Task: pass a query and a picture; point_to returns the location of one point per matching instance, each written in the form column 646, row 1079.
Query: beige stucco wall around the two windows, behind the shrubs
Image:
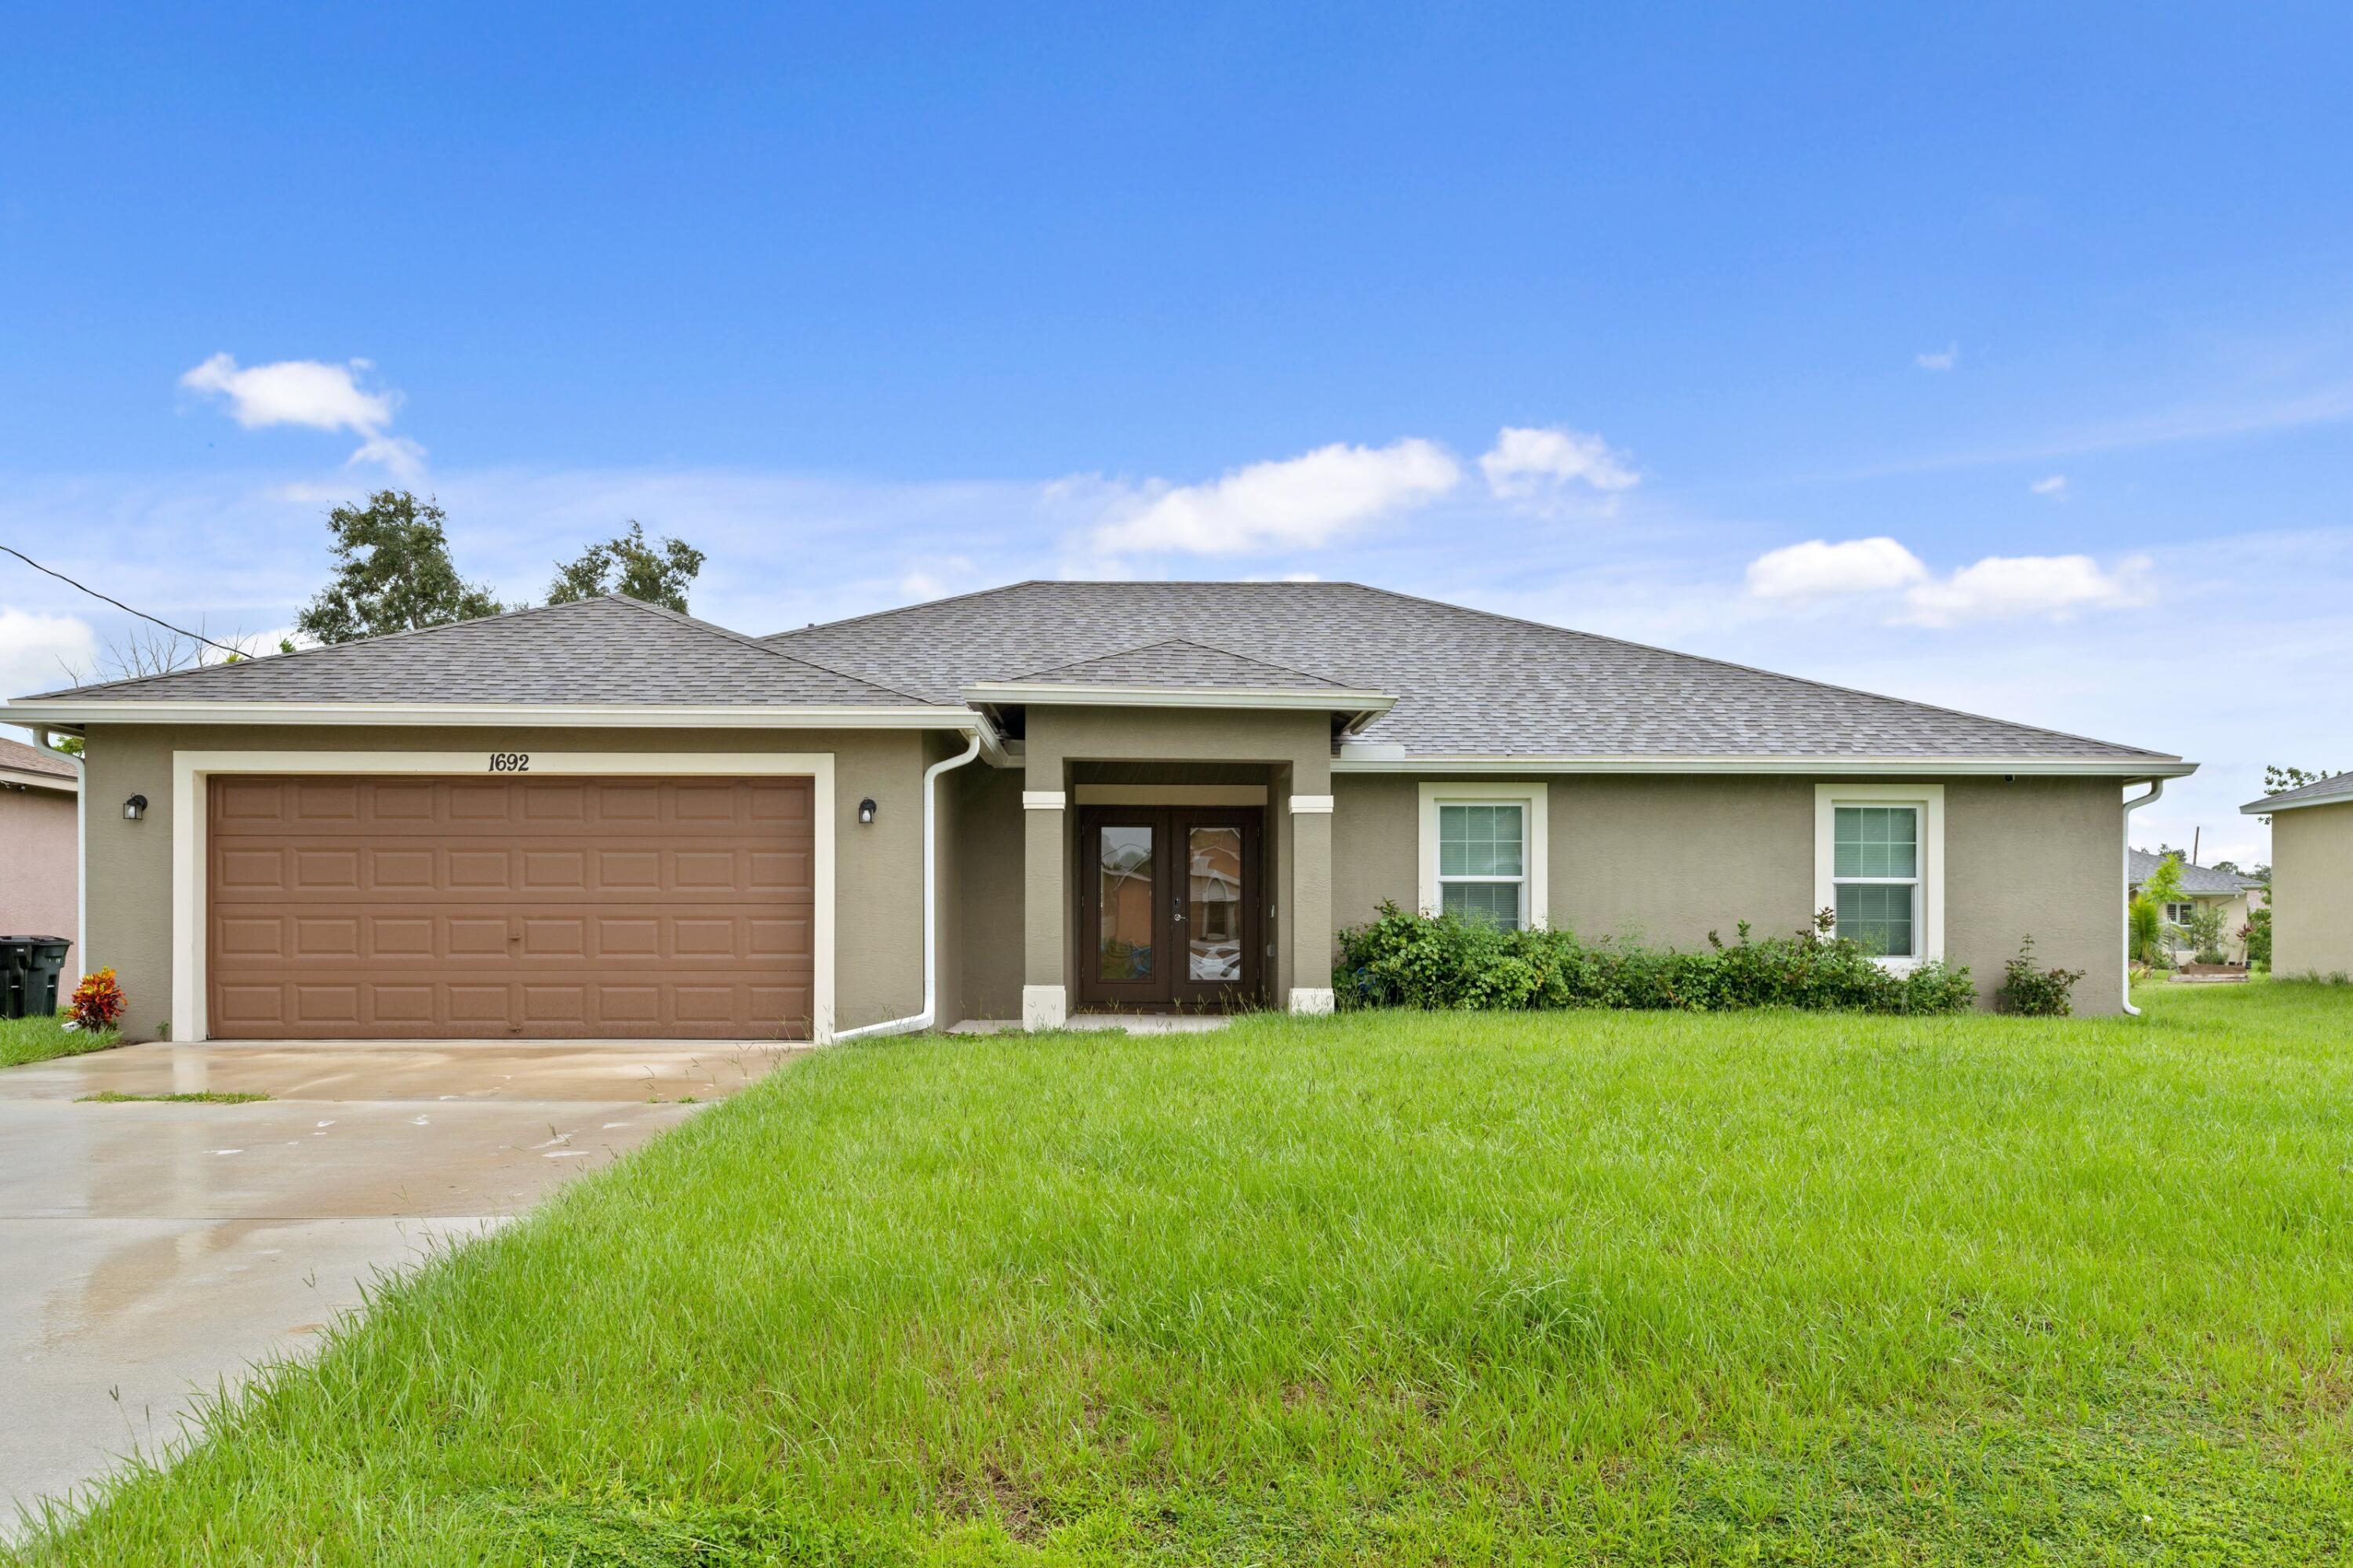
column 1677, row 856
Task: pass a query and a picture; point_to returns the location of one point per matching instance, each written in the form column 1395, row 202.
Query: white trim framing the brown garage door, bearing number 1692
column 192, row 816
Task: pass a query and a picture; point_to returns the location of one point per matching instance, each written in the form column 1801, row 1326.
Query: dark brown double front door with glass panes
column 1171, row 912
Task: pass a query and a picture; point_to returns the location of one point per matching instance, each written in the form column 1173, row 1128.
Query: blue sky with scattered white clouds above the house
column 1999, row 357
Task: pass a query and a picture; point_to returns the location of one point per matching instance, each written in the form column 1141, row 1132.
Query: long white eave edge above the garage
column 566, row 715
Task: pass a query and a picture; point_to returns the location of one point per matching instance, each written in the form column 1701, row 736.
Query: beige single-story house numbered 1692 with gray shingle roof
column 613, row 820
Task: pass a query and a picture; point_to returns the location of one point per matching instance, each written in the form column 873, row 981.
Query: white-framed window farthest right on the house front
column 1879, row 868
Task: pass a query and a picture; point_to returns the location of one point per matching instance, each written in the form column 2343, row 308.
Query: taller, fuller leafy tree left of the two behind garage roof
column 392, row 573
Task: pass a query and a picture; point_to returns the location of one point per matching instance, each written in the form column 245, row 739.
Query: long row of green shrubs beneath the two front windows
column 1451, row 964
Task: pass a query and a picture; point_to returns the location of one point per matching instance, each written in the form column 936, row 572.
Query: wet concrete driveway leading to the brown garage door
column 161, row 1249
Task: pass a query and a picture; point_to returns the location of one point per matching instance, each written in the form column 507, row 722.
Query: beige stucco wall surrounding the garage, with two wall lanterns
column 879, row 870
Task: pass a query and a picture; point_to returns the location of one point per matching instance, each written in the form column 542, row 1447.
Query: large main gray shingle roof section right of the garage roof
column 1469, row 684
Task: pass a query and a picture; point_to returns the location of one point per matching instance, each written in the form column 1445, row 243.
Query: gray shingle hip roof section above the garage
column 594, row 651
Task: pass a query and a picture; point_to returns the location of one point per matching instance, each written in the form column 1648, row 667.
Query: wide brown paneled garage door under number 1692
column 509, row 908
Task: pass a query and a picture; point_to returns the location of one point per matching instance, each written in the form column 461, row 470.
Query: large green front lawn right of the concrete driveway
column 1380, row 1289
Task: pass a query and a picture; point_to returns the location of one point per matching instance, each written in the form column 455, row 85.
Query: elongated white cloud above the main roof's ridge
column 1298, row 503
